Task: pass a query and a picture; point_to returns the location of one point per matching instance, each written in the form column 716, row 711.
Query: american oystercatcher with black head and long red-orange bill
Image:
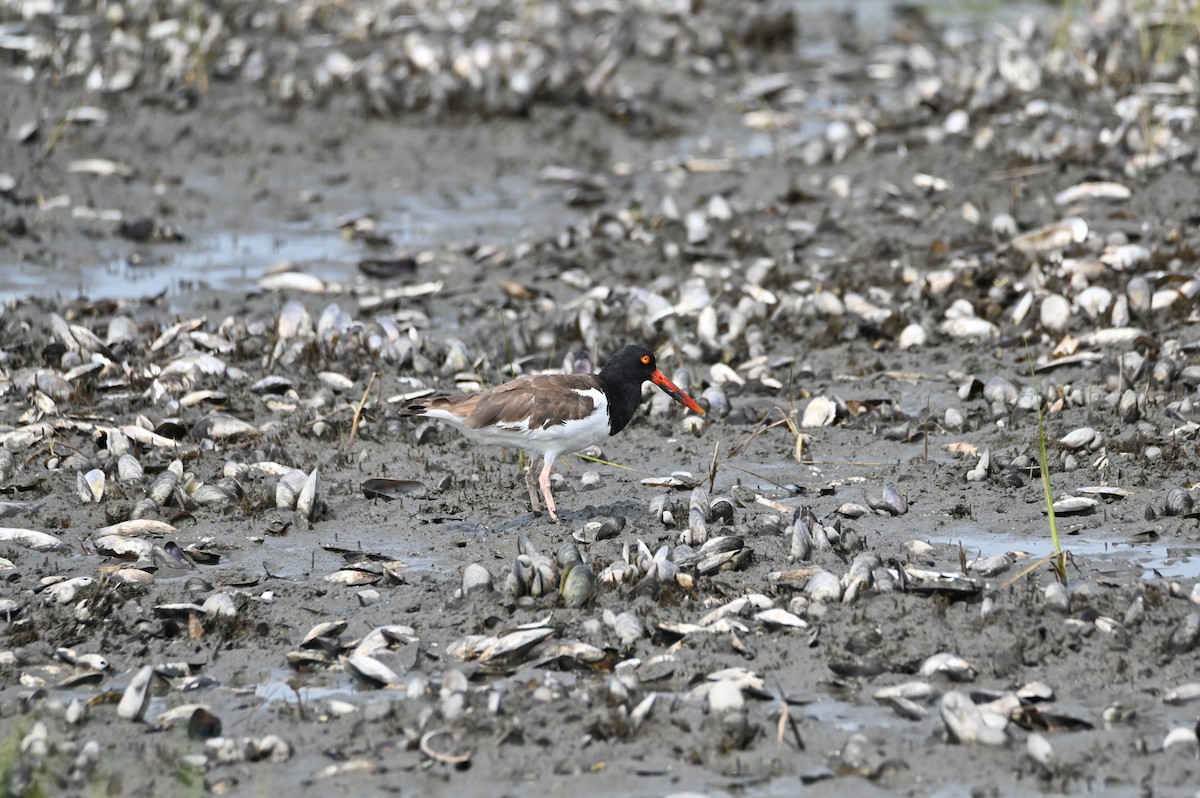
column 555, row 415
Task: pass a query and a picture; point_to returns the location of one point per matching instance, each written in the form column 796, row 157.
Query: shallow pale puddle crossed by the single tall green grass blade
column 1162, row 557
